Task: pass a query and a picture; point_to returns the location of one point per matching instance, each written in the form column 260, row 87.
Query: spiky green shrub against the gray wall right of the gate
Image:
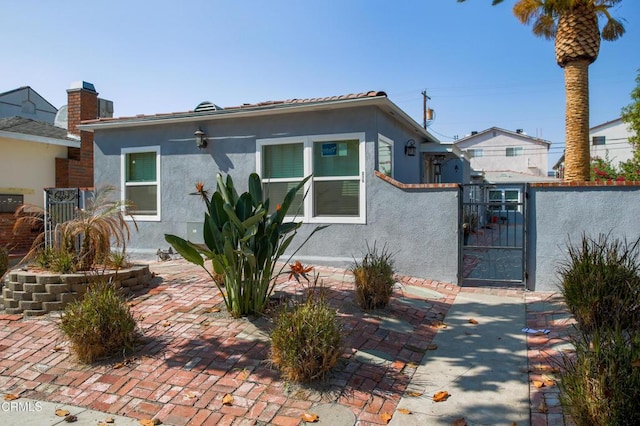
column 601, row 283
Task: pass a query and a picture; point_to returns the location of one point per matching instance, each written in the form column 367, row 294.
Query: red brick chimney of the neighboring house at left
column 76, row 171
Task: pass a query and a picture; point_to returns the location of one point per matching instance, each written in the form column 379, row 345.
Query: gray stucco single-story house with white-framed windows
column 353, row 145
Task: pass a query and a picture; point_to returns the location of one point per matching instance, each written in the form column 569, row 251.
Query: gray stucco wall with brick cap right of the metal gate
column 560, row 215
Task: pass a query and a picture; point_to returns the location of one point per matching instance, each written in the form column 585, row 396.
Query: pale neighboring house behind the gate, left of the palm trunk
column 497, row 150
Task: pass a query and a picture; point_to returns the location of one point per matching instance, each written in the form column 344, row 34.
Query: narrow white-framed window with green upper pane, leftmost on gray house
column 140, row 180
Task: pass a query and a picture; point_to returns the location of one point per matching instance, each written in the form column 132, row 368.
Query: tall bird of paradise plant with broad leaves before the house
column 243, row 242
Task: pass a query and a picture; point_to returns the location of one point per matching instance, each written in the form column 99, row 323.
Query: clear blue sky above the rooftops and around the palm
column 479, row 65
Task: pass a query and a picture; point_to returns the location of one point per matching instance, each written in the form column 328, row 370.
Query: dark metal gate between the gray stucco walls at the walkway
column 493, row 220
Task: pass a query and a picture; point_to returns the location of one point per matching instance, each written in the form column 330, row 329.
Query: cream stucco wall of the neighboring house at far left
column 28, row 167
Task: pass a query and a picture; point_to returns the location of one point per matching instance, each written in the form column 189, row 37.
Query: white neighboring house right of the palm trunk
column 611, row 140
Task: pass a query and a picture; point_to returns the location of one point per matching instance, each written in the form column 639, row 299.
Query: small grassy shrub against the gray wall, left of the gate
column 374, row 279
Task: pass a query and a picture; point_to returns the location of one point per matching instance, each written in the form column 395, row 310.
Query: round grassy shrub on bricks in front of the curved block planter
column 100, row 324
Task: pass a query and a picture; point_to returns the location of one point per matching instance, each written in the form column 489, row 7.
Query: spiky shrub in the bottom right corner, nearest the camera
column 600, row 383
